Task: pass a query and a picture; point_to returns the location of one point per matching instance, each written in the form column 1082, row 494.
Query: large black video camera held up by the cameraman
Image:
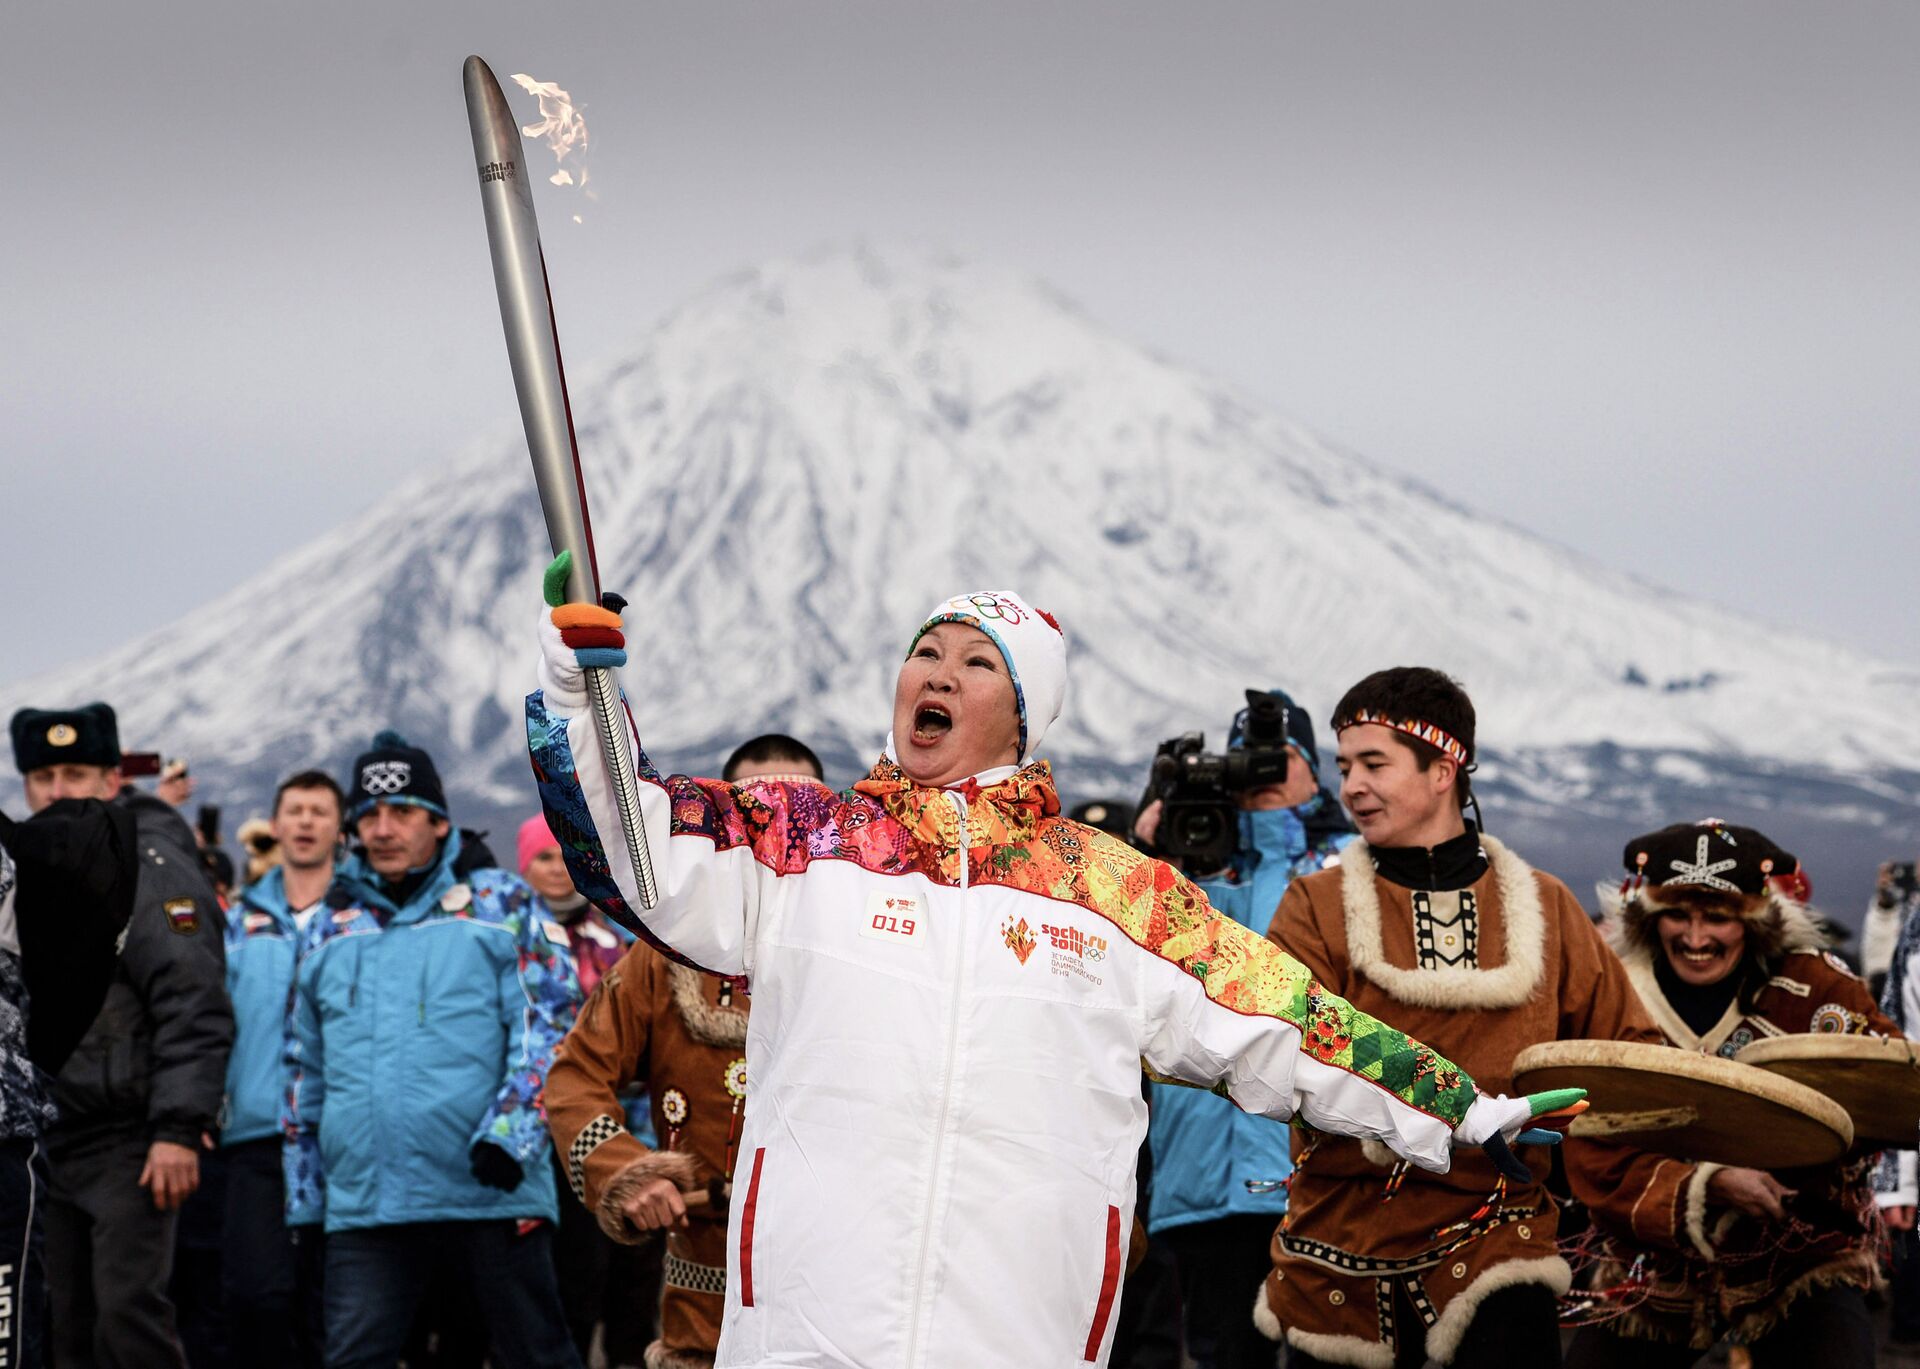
column 1197, row 790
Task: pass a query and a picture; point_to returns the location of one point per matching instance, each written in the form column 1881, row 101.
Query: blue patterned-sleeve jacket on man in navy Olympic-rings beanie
column 418, row 1032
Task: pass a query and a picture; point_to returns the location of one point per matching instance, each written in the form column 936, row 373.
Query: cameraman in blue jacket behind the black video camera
column 1218, row 1170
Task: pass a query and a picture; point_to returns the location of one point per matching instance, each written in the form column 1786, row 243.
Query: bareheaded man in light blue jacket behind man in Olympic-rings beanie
column 272, row 1284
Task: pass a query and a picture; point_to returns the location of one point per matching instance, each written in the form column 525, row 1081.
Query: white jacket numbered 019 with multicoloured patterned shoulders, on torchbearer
column 953, row 996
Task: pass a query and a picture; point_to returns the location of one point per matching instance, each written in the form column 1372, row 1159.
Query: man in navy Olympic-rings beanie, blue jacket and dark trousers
column 427, row 1003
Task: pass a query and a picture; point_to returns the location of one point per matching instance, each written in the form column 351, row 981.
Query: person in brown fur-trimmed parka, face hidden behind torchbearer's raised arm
column 684, row 1036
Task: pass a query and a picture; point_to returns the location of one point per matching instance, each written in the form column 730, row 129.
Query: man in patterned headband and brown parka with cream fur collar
column 1451, row 936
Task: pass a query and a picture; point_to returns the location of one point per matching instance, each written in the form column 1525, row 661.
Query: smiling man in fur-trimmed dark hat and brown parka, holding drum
column 1723, row 959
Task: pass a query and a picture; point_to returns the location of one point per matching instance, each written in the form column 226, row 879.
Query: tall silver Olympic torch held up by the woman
column 535, row 352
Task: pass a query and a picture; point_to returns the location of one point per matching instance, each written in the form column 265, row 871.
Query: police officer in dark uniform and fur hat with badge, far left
column 141, row 1093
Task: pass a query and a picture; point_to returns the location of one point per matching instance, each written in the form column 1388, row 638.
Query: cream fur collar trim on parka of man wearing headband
column 1524, row 932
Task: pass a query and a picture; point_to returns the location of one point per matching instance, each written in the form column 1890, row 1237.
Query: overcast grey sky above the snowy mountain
column 1639, row 277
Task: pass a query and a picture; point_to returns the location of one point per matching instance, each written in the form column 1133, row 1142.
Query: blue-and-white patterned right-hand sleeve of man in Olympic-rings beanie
column 539, row 1001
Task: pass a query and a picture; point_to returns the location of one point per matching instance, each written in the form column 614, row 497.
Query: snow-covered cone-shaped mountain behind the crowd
column 798, row 464
